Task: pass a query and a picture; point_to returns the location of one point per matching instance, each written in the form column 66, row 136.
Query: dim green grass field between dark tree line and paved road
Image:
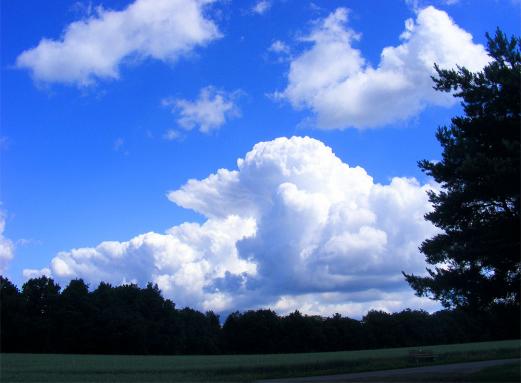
column 232, row 368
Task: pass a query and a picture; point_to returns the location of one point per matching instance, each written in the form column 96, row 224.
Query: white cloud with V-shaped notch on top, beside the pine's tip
column 335, row 81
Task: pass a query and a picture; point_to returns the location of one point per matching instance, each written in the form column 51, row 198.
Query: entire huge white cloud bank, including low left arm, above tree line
column 292, row 227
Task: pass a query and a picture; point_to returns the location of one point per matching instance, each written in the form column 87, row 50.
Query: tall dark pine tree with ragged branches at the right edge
column 478, row 206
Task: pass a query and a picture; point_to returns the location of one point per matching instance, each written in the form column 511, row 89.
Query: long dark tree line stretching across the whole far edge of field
column 42, row 318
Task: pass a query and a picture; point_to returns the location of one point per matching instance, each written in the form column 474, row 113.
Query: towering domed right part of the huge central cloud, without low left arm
column 321, row 225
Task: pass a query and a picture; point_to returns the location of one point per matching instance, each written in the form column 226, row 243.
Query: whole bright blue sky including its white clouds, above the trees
column 93, row 143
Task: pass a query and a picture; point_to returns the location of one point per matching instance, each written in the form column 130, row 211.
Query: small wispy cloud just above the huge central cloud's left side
column 209, row 112
